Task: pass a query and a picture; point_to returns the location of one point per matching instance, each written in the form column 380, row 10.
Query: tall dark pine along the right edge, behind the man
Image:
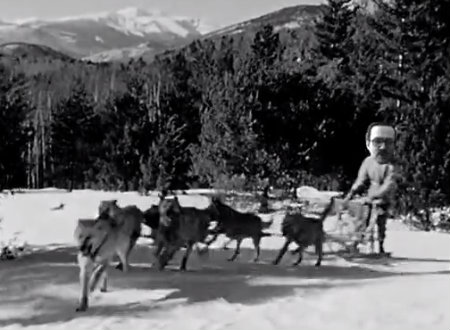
column 415, row 94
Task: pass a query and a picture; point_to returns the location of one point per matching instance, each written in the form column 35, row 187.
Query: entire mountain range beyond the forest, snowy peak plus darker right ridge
column 133, row 32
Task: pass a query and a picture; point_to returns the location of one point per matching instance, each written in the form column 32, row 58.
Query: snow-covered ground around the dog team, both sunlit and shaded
column 40, row 290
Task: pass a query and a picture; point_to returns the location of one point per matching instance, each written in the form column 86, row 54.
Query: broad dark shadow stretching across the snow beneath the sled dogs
column 207, row 279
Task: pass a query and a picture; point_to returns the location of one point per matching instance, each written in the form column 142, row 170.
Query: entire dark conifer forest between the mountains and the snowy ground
column 285, row 107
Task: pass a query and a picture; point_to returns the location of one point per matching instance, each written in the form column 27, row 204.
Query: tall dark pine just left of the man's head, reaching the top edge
column 331, row 73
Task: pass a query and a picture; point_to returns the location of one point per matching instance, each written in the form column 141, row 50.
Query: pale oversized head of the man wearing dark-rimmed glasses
column 381, row 143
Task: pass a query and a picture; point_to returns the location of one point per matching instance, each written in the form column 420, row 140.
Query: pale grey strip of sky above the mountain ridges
column 217, row 13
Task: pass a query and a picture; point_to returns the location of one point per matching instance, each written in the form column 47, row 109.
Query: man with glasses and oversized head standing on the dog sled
column 377, row 176
